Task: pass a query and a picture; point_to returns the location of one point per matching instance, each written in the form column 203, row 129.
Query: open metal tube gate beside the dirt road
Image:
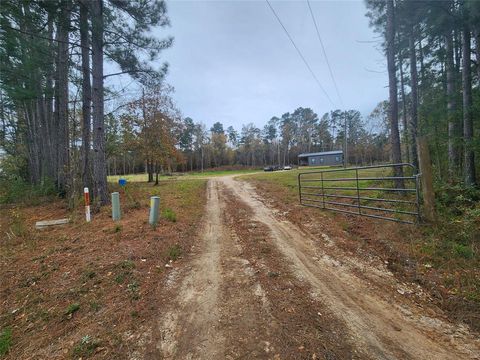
column 372, row 191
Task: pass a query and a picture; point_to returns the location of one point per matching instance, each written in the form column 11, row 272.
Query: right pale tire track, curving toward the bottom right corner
column 379, row 328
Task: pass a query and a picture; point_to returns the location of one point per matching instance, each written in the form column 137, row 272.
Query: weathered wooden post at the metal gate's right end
column 426, row 179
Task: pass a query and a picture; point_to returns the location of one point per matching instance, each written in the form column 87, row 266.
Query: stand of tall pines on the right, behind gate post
column 433, row 61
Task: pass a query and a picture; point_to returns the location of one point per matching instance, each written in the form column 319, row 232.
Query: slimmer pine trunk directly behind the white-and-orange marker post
column 86, row 95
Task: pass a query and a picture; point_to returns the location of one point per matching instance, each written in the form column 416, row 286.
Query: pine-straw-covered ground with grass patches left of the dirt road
column 88, row 289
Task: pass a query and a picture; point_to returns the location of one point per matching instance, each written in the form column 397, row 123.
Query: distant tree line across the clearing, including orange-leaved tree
column 136, row 145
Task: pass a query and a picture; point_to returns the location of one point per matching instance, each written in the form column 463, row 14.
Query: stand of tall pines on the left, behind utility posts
column 52, row 56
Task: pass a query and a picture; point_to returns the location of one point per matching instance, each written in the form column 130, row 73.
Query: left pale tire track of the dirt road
column 190, row 329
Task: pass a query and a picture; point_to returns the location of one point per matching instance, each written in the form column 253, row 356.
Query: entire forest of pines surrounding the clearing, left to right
column 57, row 134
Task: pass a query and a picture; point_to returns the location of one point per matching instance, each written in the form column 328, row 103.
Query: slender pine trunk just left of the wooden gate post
column 414, row 99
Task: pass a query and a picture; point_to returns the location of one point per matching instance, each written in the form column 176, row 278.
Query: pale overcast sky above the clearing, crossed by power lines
column 232, row 62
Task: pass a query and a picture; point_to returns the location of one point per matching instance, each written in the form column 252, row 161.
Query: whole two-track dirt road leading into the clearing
column 259, row 287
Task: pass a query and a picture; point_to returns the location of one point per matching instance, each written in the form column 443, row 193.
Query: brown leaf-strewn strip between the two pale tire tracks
column 302, row 327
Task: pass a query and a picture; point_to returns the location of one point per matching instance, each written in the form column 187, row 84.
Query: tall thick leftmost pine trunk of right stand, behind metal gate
column 392, row 83
